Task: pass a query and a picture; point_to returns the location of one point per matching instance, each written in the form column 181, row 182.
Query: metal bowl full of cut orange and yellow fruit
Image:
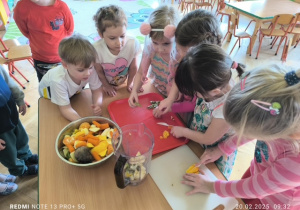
column 88, row 141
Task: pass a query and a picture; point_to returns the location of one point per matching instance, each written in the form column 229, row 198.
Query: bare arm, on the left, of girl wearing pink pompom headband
column 138, row 80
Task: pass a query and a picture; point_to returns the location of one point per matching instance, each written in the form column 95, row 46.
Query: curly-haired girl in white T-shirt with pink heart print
column 116, row 53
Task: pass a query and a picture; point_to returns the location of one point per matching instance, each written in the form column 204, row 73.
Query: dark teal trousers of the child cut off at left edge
column 16, row 150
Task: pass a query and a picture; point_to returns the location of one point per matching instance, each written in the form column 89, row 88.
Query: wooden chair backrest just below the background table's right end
column 282, row 20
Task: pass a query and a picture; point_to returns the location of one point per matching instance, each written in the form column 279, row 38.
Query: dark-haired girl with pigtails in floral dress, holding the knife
column 205, row 72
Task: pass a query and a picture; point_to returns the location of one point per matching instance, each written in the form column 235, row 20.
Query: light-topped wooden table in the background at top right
column 263, row 10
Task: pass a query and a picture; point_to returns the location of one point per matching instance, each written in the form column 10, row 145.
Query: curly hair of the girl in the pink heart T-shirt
column 108, row 16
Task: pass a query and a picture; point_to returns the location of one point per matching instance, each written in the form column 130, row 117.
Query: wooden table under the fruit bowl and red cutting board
column 94, row 188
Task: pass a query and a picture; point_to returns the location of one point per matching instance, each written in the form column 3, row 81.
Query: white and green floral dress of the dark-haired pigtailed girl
column 204, row 112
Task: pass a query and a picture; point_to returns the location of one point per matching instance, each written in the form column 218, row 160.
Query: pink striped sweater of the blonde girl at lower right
column 275, row 175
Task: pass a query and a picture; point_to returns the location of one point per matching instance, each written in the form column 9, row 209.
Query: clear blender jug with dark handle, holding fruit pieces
column 134, row 155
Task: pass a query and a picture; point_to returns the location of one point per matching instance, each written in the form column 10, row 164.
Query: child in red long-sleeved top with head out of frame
column 54, row 22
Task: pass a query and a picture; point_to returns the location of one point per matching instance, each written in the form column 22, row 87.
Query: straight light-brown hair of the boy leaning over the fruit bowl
column 77, row 50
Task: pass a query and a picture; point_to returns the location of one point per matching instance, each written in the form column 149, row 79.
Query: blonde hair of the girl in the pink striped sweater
column 265, row 84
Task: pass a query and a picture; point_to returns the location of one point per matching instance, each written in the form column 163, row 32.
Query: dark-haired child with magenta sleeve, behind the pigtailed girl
column 196, row 27
